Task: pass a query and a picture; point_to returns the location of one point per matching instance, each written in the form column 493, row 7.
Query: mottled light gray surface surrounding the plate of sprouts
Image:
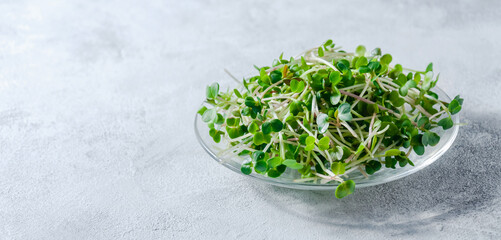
column 97, row 100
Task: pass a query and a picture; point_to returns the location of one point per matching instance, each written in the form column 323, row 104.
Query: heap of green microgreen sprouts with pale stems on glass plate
column 327, row 113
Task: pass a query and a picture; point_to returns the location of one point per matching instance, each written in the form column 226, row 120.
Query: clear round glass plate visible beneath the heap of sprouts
column 290, row 177
